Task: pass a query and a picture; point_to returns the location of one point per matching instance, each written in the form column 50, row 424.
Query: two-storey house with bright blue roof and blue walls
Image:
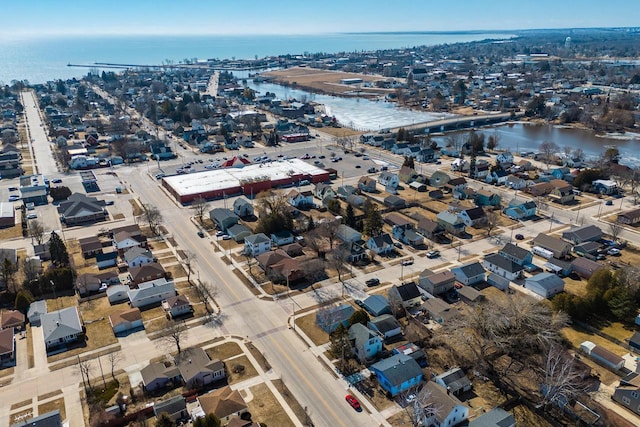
column 397, row 373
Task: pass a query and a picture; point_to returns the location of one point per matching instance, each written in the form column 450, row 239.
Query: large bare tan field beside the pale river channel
column 325, row 81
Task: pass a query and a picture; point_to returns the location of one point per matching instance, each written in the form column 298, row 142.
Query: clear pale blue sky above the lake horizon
column 46, row 17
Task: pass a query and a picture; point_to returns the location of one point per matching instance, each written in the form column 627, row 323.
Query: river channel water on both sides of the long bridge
column 364, row 114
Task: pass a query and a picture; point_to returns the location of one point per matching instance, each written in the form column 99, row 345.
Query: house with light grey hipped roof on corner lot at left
column 61, row 327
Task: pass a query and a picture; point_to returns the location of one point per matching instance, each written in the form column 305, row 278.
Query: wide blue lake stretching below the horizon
column 42, row 59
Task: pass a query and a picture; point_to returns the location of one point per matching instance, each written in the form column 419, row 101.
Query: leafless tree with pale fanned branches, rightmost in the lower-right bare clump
column 561, row 379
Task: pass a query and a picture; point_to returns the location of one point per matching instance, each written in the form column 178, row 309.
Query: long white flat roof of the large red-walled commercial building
column 219, row 179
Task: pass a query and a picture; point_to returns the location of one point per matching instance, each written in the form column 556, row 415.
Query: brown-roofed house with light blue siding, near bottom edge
column 450, row 412
